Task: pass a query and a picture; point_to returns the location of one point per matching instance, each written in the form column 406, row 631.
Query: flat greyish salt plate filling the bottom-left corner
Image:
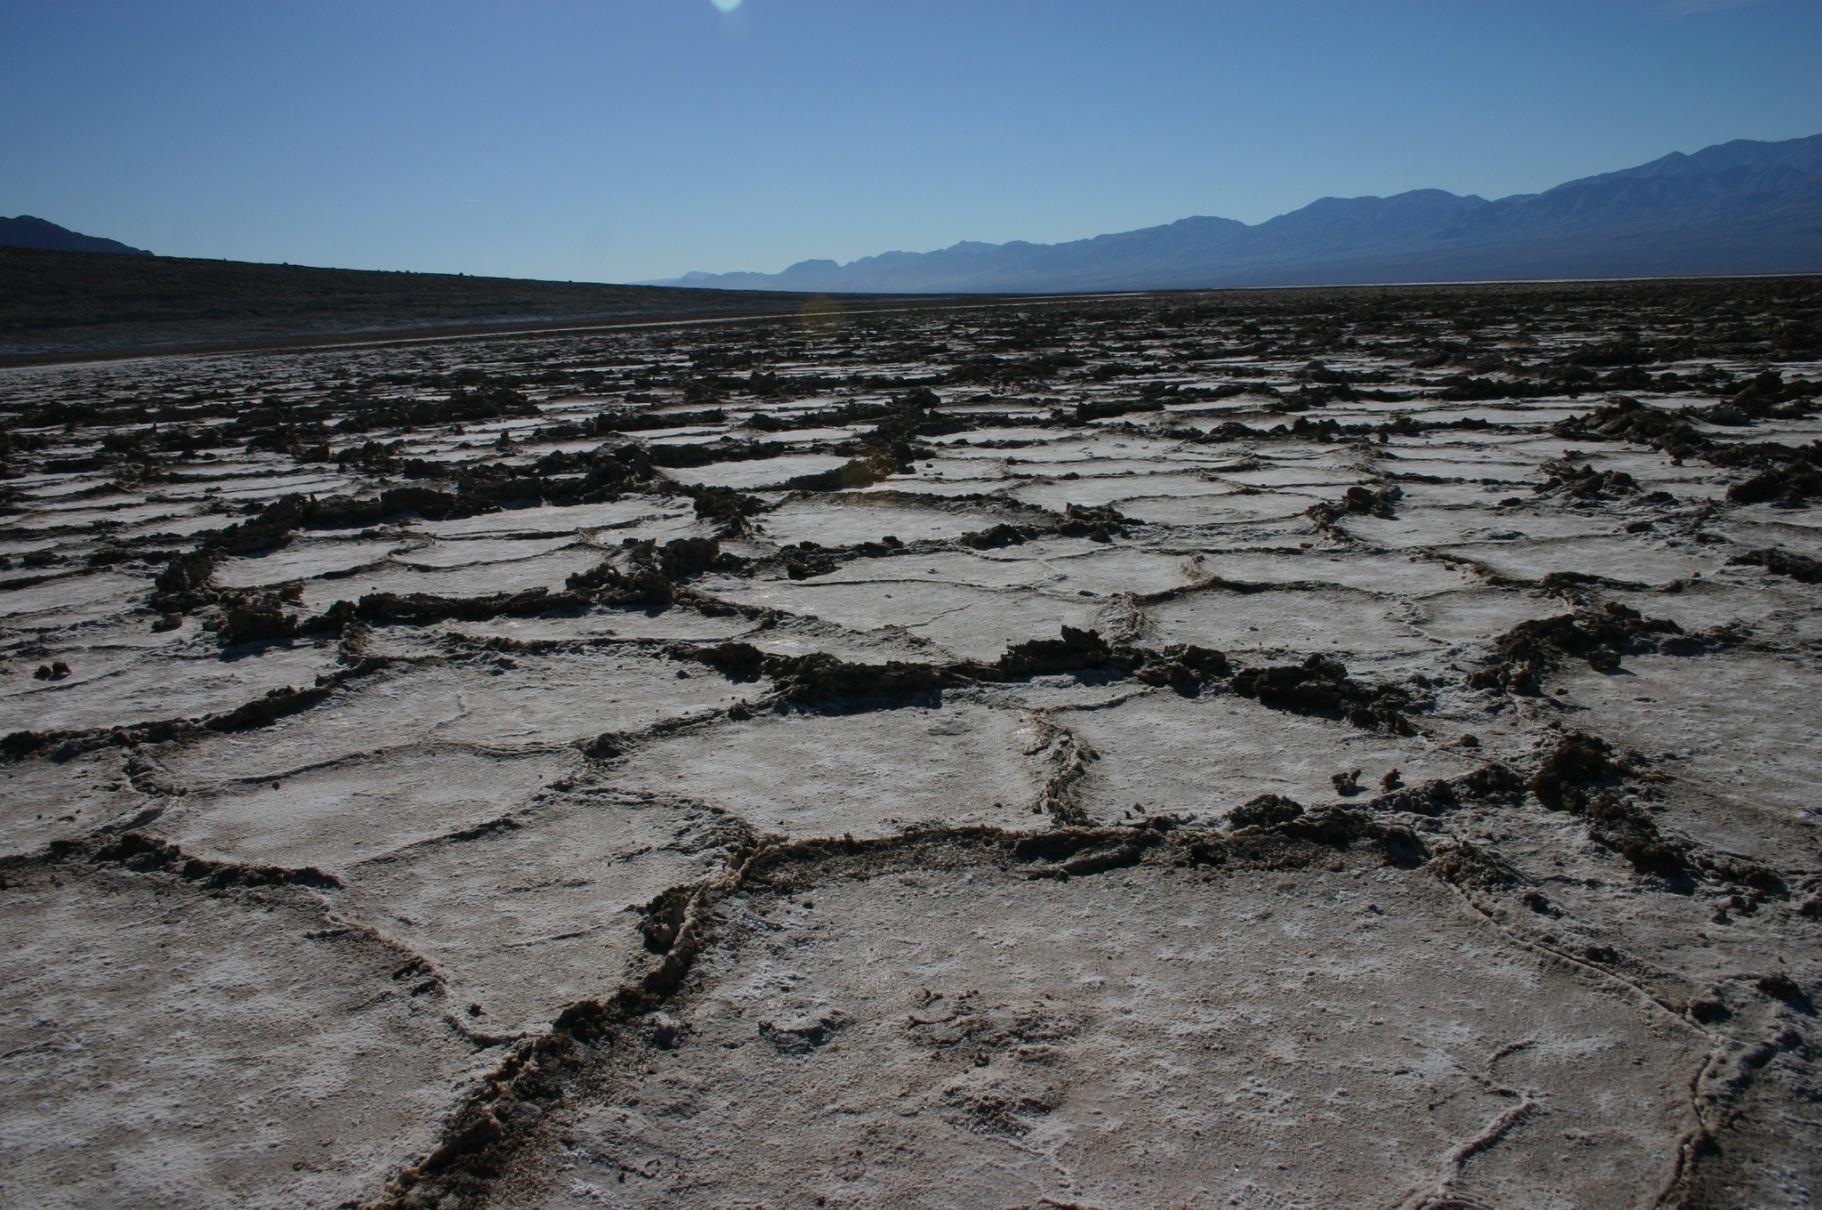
column 165, row 1047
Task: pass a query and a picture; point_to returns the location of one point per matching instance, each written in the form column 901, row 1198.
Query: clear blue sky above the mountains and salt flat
column 635, row 139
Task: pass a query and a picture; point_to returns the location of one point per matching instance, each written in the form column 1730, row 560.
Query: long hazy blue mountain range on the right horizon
column 1734, row 209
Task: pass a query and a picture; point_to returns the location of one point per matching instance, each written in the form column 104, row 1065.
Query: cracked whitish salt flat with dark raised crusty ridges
column 1267, row 750
